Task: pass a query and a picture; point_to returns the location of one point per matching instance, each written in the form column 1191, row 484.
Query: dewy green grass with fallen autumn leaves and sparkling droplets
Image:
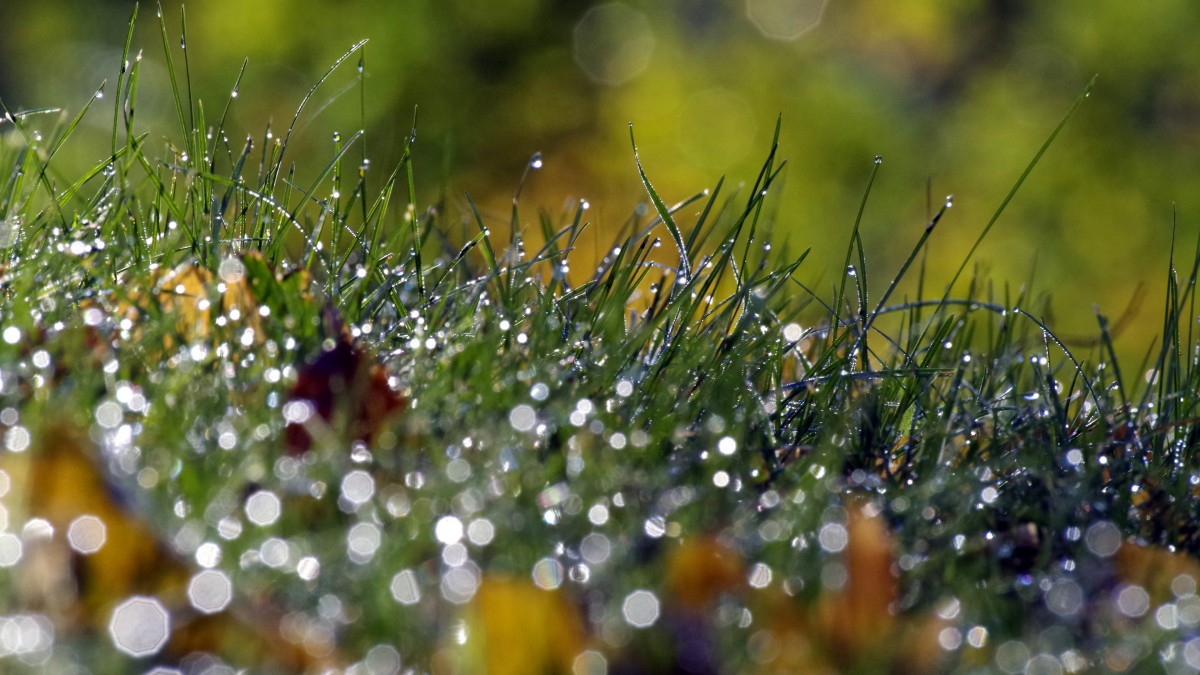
column 322, row 427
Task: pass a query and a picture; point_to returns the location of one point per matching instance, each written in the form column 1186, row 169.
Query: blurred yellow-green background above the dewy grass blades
column 953, row 94
